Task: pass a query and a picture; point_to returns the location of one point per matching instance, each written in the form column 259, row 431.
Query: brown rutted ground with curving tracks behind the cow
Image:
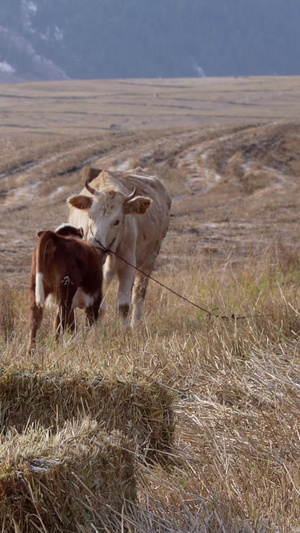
column 235, row 190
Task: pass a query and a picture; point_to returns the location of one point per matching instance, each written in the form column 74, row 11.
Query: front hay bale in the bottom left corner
column 79, row 480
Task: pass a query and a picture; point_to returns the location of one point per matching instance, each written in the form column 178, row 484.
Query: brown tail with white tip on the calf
column 43, row 249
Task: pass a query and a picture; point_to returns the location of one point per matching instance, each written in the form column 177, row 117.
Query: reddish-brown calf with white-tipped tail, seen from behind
column 69, row 271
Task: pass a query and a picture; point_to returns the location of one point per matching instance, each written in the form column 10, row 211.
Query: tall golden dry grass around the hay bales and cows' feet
column 235, row 460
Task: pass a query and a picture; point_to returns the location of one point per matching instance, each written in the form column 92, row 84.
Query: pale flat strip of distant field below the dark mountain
column 92, row 106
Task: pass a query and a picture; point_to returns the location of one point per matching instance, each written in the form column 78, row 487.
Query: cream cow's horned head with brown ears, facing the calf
column 107, row 210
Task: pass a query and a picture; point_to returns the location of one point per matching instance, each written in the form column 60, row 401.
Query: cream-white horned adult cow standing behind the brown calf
column 127, row 212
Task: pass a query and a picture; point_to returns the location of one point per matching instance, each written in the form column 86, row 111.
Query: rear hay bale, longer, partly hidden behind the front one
column 143, row 411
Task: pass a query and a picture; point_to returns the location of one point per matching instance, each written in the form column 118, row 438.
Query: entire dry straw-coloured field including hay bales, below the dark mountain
column 191, row 423
